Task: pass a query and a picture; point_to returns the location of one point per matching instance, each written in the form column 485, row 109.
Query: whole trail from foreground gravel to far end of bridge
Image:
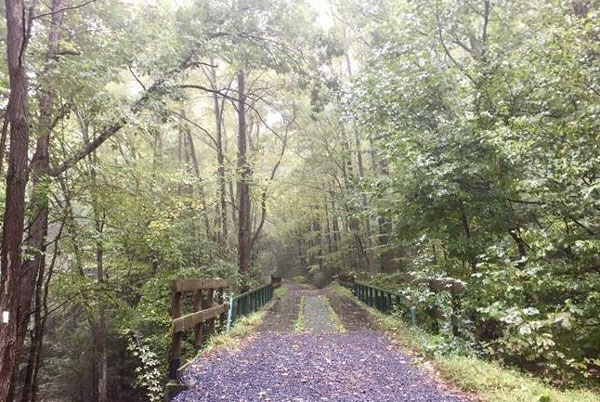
column 320, row 365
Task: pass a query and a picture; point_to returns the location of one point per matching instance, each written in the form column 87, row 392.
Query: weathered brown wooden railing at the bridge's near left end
column 203, row 317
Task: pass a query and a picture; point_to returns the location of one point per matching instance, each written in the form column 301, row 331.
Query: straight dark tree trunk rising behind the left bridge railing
column 243, row 185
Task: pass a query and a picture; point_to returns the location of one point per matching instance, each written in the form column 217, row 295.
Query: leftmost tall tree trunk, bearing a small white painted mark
column 16, row 182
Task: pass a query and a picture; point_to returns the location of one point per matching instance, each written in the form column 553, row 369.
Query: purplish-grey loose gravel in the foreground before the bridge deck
column 334, row 367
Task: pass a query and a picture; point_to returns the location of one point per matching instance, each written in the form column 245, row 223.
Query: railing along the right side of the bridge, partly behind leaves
column 386, row 301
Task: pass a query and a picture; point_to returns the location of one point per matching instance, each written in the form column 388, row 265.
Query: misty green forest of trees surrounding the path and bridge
column 402, row 142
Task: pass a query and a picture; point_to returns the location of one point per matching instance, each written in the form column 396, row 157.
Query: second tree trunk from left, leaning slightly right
column 33, row 269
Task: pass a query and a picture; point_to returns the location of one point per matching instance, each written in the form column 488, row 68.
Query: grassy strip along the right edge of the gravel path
column 489, row 380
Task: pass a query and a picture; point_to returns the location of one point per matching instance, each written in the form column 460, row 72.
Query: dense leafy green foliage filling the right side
column 491, row 173
